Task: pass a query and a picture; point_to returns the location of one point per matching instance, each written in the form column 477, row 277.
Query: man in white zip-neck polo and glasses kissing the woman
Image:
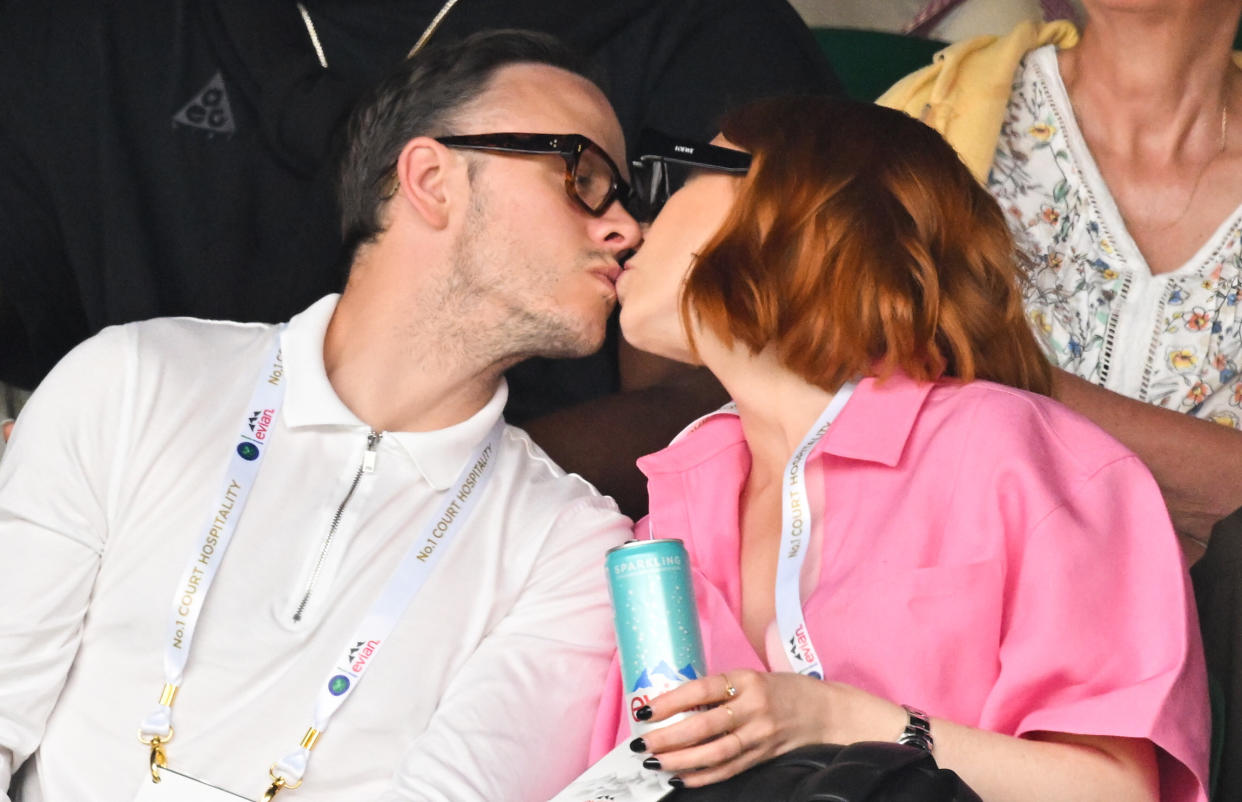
column 116, row 505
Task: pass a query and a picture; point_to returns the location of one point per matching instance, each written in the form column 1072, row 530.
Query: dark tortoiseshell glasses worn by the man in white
column 592, row 178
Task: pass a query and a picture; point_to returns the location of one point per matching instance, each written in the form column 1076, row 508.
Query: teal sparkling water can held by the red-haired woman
column 659, row 640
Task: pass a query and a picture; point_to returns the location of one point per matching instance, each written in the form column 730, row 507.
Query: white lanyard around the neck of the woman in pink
column 796, row 529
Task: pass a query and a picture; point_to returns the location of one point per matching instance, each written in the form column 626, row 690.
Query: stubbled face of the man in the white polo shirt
column 543, row 268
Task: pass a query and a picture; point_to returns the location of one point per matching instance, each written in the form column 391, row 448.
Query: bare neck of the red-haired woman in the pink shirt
column 777, row 408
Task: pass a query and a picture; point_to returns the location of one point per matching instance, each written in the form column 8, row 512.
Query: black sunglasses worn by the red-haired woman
column 665, row 163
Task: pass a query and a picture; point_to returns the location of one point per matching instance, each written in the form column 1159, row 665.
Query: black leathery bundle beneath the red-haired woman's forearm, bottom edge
column 869, row 772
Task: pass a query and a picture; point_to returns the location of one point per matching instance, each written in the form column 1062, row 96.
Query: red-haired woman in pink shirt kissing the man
column 974, row 551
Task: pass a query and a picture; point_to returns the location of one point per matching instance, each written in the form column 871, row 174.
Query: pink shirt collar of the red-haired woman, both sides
column 874, row 426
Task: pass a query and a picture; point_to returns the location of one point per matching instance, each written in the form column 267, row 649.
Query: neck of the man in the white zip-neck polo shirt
column 401, row 359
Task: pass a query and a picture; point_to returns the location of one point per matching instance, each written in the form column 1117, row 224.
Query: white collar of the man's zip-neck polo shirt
column 311, row 402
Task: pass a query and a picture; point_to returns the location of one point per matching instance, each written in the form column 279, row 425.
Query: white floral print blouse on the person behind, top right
column 1173, row 340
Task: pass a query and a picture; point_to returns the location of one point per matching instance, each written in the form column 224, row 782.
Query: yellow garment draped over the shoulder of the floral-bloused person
column 966, row 91
